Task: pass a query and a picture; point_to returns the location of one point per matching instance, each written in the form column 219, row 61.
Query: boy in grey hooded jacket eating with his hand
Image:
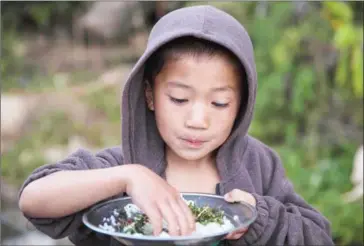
column 187, row 106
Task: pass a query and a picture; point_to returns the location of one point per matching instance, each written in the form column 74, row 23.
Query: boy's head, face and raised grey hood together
column 192, row 91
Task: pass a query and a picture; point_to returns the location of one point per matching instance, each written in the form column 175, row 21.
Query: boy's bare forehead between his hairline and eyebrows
column 200, row 71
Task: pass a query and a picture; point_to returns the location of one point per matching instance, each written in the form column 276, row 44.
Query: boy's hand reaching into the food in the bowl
column 158, row 200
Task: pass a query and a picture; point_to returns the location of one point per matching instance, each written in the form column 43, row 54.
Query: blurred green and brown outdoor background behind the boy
column 64, row 63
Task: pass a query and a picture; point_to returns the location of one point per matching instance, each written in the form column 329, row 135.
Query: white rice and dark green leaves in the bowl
column 131, row 220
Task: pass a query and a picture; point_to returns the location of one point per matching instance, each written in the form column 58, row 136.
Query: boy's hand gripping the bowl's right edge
column 237, row 195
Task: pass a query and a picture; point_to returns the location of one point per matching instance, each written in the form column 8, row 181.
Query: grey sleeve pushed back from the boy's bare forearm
column 80, row 160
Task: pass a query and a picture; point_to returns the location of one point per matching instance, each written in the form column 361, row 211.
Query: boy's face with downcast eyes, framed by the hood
column 195, row 100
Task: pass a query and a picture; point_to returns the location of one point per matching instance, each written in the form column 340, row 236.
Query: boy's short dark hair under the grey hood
column 194, row 47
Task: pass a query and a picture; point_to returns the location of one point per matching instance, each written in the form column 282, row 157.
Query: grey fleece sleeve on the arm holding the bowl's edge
column 284, row 218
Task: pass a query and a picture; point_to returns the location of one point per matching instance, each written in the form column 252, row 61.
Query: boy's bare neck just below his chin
column 177, row 163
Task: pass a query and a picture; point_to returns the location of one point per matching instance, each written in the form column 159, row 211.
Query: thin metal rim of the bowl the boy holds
column 172, row 238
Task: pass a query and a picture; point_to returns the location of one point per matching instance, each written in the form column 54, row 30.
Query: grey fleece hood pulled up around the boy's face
column 141, row 142
